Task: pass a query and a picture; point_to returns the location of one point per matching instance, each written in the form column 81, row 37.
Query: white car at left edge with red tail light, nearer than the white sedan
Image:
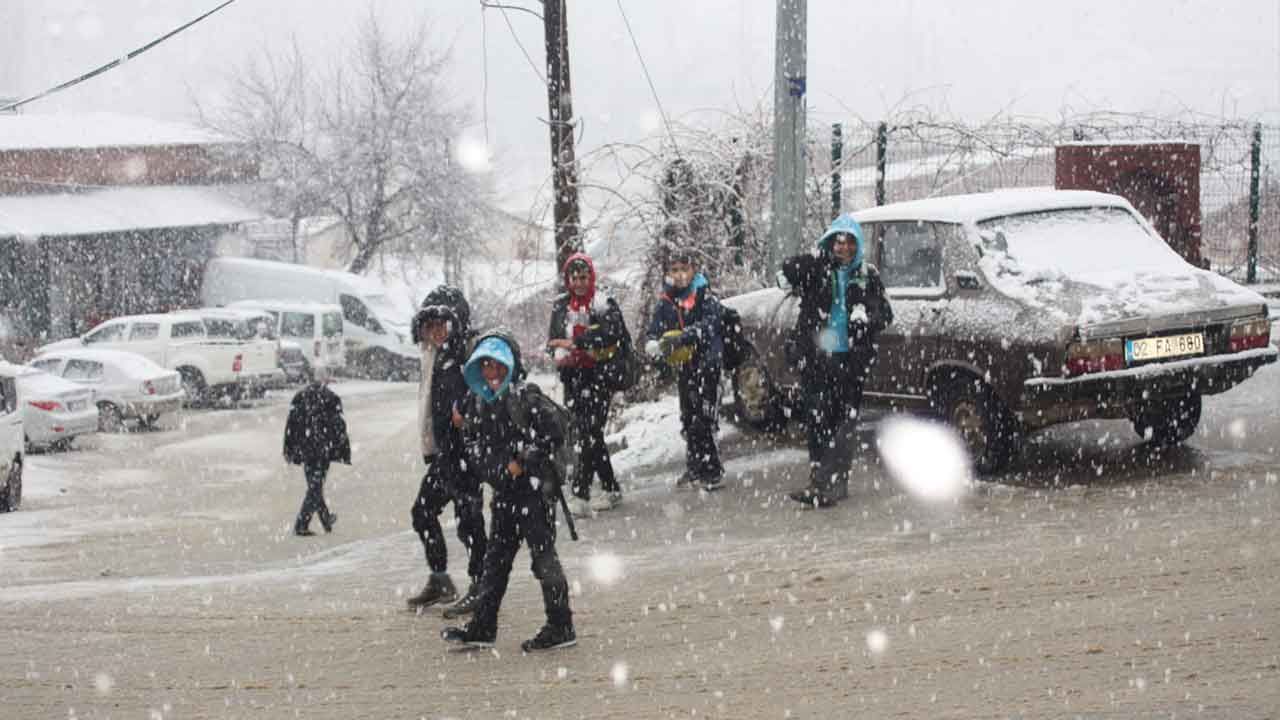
column 54, row 412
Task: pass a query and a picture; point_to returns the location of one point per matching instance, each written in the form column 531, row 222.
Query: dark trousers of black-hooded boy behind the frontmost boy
column 441, row 486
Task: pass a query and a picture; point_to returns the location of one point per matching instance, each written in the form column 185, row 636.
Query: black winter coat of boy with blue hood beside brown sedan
column 813, row 277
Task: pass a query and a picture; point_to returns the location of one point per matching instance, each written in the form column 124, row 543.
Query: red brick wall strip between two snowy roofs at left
column 58, row 170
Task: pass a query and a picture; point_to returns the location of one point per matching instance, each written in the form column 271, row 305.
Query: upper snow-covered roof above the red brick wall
column 97, row 130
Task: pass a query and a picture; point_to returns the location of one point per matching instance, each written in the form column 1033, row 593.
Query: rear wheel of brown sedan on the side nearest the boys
column 988, row 430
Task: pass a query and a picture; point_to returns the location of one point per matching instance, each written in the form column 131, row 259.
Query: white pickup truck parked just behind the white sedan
column 211, row 368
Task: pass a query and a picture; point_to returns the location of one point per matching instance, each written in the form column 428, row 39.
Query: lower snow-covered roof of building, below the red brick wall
column 118, row 209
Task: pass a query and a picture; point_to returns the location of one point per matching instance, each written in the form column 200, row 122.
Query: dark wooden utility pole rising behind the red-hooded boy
column 561, row 106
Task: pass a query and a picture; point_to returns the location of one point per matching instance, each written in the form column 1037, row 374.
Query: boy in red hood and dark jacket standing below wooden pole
column 586, row 340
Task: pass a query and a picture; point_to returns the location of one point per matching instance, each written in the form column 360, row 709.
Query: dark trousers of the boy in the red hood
column 588, row 399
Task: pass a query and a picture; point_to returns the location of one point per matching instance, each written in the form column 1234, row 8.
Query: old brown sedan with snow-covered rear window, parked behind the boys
column 1017, row 311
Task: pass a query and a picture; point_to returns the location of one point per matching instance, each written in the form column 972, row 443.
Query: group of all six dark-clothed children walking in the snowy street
column 481, row 422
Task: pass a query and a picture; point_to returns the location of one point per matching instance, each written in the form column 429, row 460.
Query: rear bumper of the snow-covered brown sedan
column 1117, row 394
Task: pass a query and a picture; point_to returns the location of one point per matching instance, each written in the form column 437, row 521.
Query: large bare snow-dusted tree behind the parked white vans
column 369, row 142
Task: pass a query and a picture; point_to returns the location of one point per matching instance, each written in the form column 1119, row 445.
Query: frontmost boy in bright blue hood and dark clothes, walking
column 514, row 435
